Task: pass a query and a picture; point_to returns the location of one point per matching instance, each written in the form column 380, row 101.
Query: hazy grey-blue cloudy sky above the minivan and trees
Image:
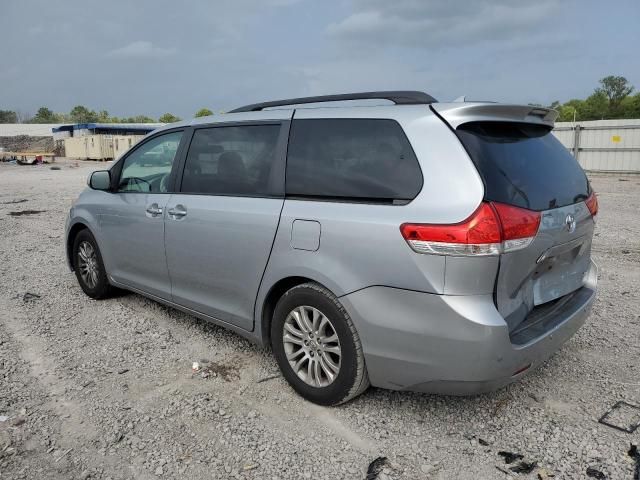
column 151, row 57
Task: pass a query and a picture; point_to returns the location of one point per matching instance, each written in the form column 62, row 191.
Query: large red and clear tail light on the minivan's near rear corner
column 494, row 228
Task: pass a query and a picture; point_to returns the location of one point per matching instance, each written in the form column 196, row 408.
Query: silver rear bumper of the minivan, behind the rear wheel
column 457, row 345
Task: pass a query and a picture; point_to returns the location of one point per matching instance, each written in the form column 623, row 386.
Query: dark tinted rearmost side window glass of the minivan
column 352, row 160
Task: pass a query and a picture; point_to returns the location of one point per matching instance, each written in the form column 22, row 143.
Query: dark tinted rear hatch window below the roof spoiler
column 524, row 165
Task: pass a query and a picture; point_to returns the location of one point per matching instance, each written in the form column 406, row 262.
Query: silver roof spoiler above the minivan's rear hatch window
column 455, row 114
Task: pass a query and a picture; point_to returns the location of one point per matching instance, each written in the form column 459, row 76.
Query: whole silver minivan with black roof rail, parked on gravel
column 410, row 244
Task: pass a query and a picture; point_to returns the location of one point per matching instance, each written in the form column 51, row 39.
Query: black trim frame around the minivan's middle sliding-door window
column 277, row 183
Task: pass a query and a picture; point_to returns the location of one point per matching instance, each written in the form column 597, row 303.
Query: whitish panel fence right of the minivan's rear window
column 603, row 145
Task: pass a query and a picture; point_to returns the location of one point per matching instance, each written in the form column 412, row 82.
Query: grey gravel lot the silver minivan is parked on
column 104, row 389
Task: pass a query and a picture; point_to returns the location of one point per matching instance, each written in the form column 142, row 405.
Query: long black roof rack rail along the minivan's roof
column 398, row 97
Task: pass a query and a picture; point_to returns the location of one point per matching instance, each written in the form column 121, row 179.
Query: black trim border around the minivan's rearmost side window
column 358, row 200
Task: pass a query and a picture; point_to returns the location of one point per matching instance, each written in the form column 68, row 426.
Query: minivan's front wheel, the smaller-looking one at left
column 89, row 267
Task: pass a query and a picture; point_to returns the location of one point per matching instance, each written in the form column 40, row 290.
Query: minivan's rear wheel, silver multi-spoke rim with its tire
column 317, row 346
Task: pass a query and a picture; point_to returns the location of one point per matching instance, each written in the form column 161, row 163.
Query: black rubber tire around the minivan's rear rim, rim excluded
column 352, row 378
